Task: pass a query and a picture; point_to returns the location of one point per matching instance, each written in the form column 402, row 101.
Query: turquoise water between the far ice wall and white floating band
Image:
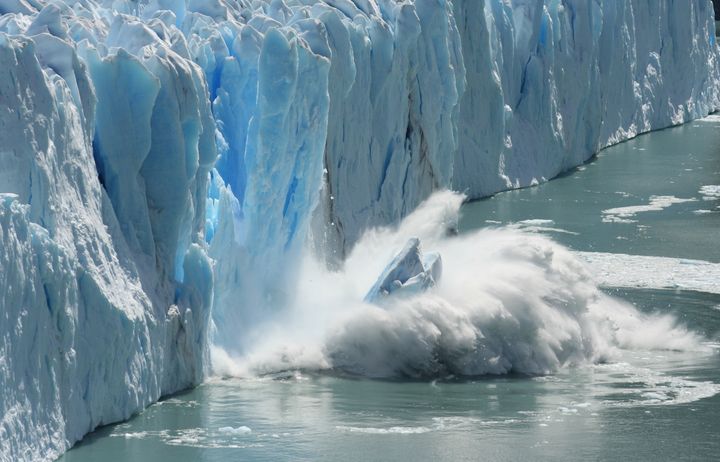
column 677, row 163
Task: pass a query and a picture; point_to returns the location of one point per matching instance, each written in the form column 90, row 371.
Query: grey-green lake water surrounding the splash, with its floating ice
column 656, row 196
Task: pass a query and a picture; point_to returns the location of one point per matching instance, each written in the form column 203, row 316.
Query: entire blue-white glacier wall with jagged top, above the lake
column 164, row 163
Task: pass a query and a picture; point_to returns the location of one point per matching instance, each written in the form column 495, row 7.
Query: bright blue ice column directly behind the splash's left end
column 272, row 112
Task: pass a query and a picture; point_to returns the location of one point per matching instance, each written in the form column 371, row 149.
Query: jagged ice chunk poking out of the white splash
column 409, row 272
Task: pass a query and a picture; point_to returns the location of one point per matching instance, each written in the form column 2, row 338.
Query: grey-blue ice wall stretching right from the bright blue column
column 517, row 93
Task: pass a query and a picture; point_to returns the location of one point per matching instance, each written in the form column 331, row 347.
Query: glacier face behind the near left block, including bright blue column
column 410, row 97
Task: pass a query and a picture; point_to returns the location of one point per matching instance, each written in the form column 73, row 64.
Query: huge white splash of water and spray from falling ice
column 508, row 302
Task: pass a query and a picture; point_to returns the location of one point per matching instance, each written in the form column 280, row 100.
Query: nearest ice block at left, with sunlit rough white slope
column 106, row 288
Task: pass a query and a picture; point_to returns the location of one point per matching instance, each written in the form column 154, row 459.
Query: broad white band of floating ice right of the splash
column 635, row 271
